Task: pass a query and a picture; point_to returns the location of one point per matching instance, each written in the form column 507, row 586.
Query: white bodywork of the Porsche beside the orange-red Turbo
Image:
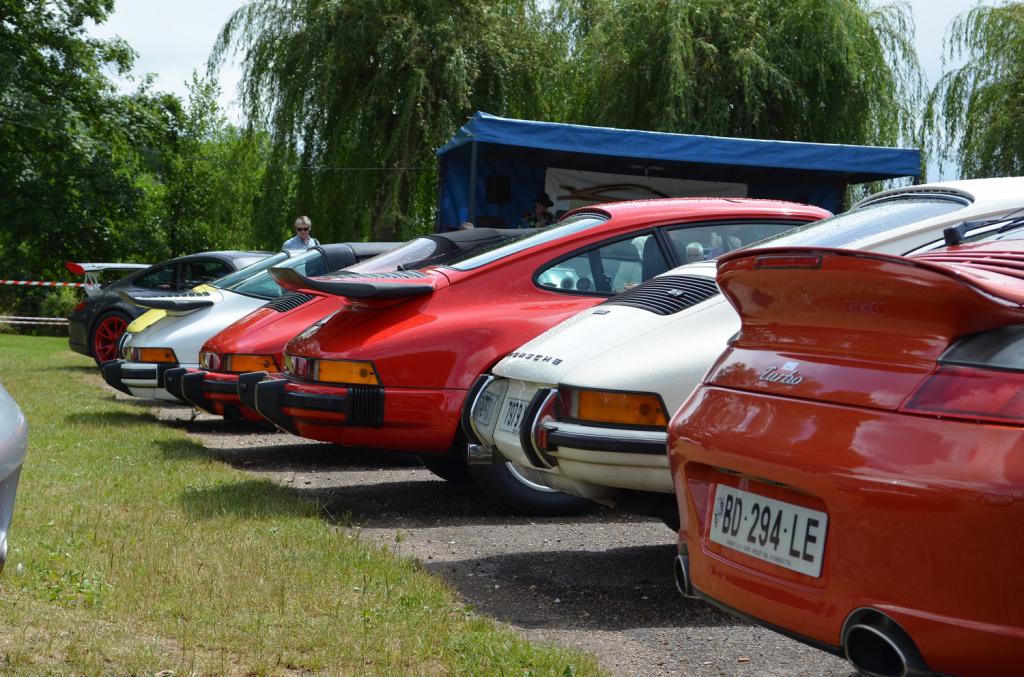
column 622, row 349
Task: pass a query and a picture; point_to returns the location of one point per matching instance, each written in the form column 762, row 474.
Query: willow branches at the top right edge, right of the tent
column 976, row 109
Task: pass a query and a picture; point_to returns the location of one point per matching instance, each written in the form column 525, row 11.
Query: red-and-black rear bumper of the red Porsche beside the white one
column 404, row 419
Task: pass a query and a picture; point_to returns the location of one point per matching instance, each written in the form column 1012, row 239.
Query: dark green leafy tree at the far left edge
column 64, row 183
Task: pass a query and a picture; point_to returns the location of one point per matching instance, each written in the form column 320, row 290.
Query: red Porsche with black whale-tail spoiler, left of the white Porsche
column 392, row 369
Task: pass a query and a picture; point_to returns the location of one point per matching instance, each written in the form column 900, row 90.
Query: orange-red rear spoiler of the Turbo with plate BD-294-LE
column 842, row 300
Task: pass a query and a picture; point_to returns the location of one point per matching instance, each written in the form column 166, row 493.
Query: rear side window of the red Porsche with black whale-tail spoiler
column 609, row 270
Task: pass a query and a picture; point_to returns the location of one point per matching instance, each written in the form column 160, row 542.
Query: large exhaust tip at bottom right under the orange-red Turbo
column 878, row 647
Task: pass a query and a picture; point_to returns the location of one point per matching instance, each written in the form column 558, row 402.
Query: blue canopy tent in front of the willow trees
column 494, row 167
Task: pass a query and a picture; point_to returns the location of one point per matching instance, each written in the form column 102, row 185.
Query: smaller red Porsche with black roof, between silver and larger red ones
column 258, row 341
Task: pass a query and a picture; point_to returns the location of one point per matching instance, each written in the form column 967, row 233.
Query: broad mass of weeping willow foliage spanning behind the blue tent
column 385, row 83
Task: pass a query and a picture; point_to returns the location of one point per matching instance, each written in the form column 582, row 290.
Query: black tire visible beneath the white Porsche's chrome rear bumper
column 510, row 486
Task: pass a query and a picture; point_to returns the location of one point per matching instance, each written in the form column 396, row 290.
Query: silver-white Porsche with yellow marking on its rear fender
column 149, row 352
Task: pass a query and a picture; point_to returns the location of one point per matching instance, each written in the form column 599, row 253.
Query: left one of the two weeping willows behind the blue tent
column 360, row 94
